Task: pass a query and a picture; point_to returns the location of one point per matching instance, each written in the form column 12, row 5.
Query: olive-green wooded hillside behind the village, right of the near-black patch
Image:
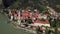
column 40, row 4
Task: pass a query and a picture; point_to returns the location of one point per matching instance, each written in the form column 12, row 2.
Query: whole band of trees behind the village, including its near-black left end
column 39, row 4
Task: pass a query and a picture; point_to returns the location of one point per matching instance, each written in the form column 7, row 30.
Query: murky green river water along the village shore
column 6, row 28
